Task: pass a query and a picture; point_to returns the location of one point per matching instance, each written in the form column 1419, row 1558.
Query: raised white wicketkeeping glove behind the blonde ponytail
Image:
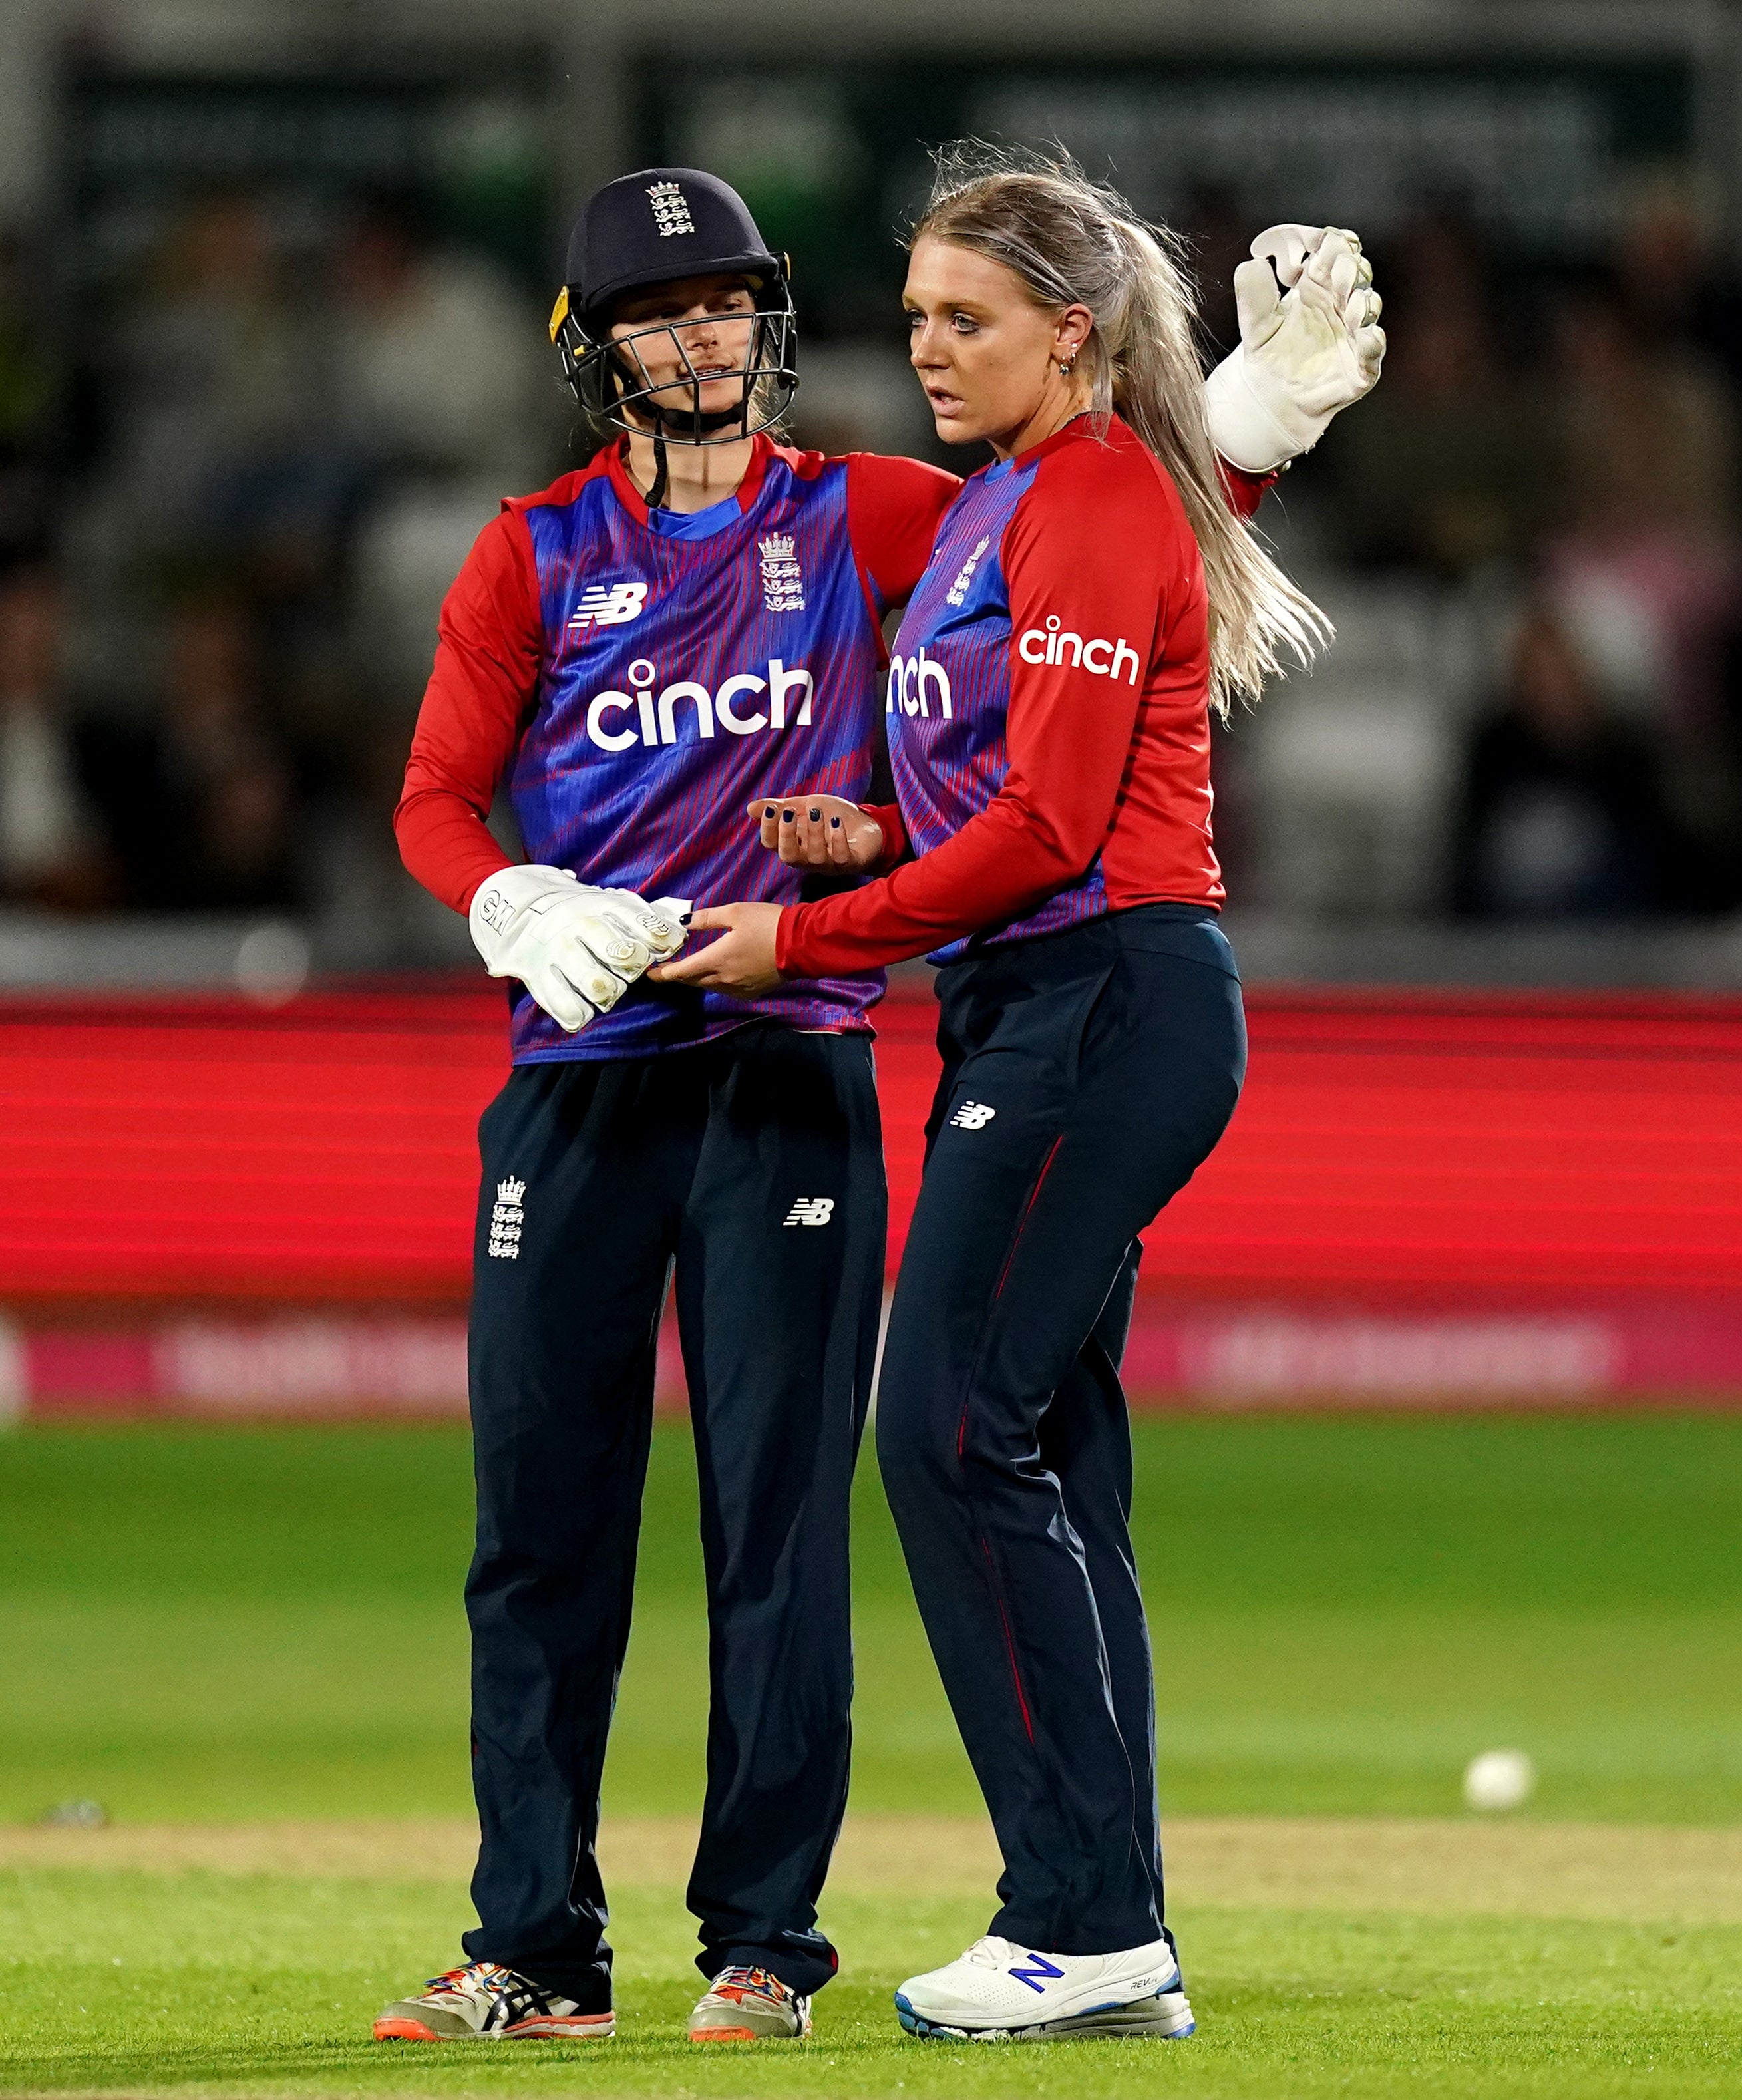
column 1309, row 348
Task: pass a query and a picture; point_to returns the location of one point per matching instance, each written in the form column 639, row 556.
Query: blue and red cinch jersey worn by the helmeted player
column 652, row 677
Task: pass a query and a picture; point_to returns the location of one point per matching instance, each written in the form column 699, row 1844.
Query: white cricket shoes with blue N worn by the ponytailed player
column 1000, row 1992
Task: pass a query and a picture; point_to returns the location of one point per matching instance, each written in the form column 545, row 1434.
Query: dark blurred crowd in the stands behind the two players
column 272, row 348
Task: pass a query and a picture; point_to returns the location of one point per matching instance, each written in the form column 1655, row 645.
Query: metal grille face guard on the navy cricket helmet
column 610, row 377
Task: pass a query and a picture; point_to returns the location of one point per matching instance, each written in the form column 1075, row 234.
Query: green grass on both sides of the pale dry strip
column 219, row 1626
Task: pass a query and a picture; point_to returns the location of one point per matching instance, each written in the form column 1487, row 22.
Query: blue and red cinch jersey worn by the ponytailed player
column 1048, row 713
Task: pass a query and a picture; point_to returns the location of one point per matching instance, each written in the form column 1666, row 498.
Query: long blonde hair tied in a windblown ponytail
column 1074, row 243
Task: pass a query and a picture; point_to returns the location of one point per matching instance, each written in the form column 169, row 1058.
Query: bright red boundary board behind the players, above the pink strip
column 1393, row 1150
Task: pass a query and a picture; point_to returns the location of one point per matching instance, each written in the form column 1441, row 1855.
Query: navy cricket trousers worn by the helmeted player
column 757, row 1164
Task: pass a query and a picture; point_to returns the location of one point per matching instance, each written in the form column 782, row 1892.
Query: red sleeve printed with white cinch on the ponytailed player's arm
column 1067, row 732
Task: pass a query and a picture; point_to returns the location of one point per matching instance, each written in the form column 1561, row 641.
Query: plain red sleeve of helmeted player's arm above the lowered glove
column 484, row 684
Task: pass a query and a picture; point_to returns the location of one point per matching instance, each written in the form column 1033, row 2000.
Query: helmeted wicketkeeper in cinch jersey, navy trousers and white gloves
column 681, row 629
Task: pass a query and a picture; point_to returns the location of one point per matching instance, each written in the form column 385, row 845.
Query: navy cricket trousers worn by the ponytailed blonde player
column 1086, row 1078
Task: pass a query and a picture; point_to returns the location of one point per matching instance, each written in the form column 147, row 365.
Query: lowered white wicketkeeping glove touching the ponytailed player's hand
column 576, row 948
